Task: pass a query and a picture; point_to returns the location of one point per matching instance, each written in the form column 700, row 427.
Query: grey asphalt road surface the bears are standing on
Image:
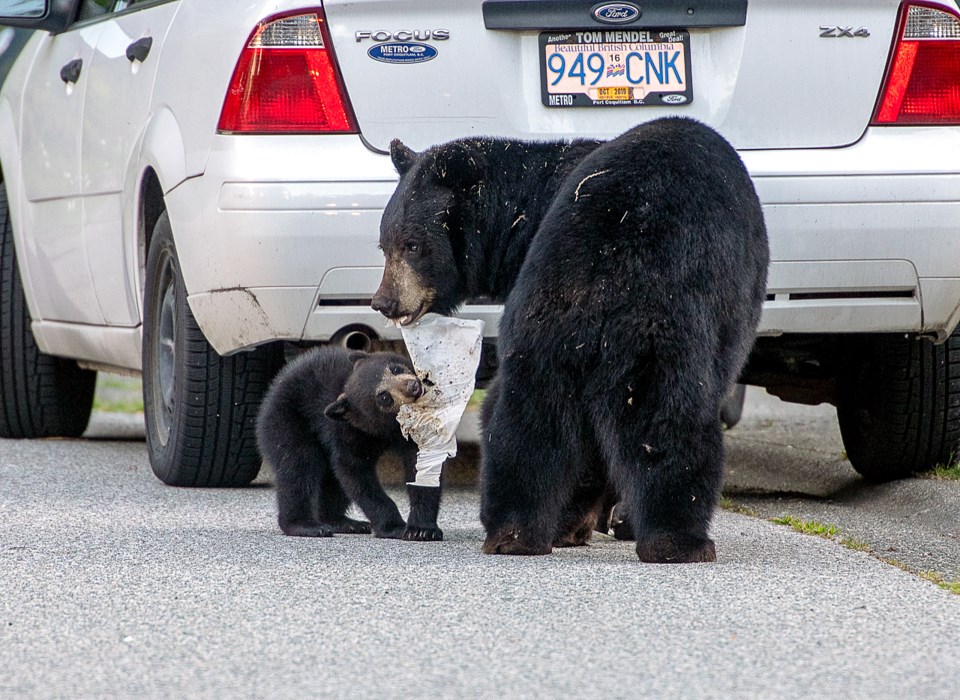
column 113, row 585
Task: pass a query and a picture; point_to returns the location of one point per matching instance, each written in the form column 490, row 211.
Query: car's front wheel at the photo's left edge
column 40, row 395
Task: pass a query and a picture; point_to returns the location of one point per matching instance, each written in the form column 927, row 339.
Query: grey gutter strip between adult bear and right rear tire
column 785, row 459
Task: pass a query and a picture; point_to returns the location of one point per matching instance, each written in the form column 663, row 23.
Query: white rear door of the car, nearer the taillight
column 116, row 112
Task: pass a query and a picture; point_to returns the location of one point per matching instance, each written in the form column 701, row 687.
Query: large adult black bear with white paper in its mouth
column 632, row 274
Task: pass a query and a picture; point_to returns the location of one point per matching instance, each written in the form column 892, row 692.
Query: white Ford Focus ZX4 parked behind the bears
column 193, row 187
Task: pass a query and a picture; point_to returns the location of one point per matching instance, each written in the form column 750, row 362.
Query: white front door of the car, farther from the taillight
column 55, row 252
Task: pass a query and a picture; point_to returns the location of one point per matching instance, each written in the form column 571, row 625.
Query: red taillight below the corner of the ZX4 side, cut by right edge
column 922, row 83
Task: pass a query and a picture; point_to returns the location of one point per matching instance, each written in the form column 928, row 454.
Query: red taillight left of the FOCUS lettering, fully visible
column 286, row 81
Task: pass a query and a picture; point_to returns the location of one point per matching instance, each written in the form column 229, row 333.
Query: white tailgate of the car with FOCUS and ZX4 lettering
column 773, row 83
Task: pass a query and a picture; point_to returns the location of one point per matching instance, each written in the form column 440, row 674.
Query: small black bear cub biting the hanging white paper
column 326, row 420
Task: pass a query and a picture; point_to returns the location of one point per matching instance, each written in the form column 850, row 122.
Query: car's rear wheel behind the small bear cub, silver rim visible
column 200, row 408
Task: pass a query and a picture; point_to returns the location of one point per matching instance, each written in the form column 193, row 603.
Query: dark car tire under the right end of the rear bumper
column 899, row 405
